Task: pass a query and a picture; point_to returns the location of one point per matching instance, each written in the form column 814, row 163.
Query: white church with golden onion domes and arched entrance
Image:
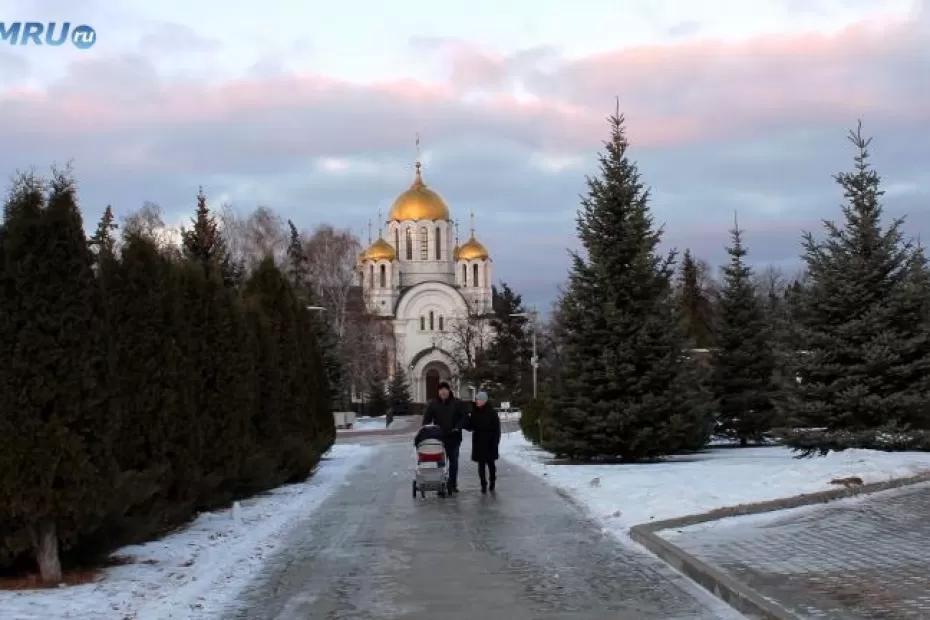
column 424, row 285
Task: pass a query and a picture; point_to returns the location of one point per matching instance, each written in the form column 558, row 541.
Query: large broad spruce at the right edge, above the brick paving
column 865, row 367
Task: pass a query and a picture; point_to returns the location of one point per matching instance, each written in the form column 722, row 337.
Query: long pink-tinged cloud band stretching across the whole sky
column 671, row 94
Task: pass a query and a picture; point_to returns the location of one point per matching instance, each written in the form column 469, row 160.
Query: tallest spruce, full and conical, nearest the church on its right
column 627, row 390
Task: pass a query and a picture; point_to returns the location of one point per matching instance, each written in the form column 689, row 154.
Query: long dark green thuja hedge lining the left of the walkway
column 140, row 383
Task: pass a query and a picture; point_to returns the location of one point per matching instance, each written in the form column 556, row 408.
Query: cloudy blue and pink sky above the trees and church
column 311, row 108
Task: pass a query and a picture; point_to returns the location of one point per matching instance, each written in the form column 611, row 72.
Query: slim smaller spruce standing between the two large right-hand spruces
column 743, row 360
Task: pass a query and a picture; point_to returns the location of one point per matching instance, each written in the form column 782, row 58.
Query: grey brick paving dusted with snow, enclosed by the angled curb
column 866, row 557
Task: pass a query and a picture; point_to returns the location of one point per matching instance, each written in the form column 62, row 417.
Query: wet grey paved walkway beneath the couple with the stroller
column 372, row 551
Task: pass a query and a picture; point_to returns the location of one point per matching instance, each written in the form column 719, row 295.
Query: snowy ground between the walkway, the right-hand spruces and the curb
column 621, row 496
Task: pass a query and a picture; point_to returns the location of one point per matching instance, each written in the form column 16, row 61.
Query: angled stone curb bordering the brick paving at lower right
column 735, row 593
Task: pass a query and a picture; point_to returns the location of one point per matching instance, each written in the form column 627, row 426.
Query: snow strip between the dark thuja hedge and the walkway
column 195, row 570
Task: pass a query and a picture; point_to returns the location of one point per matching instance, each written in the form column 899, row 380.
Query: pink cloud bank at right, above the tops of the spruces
column 724, row 89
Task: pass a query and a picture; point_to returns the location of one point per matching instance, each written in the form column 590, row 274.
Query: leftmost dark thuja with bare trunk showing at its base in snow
column 55, row 465
